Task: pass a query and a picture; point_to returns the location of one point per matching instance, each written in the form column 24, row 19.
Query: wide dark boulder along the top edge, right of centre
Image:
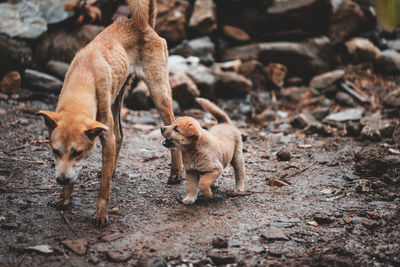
column 276, row 20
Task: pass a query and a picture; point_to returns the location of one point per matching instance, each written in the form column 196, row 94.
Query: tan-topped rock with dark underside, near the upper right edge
column 361, row 50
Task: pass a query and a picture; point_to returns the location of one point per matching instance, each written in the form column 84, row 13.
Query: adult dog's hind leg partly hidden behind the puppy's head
column 156, row 78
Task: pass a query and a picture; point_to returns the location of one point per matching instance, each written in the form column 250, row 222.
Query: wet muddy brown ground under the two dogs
column 319, row 218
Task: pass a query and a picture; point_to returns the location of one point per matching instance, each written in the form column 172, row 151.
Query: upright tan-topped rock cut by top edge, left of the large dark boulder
column 204, row 18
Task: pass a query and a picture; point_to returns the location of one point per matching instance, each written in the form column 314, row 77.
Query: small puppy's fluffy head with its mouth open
column 182, row 134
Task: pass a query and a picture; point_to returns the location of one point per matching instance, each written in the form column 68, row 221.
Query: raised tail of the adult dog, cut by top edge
column 143, row 12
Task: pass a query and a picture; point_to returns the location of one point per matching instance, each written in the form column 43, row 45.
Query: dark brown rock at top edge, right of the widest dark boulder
column 345, row 20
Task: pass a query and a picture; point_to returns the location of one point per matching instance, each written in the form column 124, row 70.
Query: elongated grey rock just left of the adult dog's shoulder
column 41, row 81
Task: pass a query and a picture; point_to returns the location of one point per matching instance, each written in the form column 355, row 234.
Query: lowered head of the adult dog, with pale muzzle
column 72, row 139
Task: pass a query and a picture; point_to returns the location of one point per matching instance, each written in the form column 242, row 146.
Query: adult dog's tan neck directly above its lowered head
column 78, row 96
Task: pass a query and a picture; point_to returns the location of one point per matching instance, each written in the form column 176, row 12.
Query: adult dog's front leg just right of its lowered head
column 109, row 152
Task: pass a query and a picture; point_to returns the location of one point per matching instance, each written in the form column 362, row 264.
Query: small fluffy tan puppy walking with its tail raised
column 206, row 153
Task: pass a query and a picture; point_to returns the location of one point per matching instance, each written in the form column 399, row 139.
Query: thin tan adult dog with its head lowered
column 90, row 101
